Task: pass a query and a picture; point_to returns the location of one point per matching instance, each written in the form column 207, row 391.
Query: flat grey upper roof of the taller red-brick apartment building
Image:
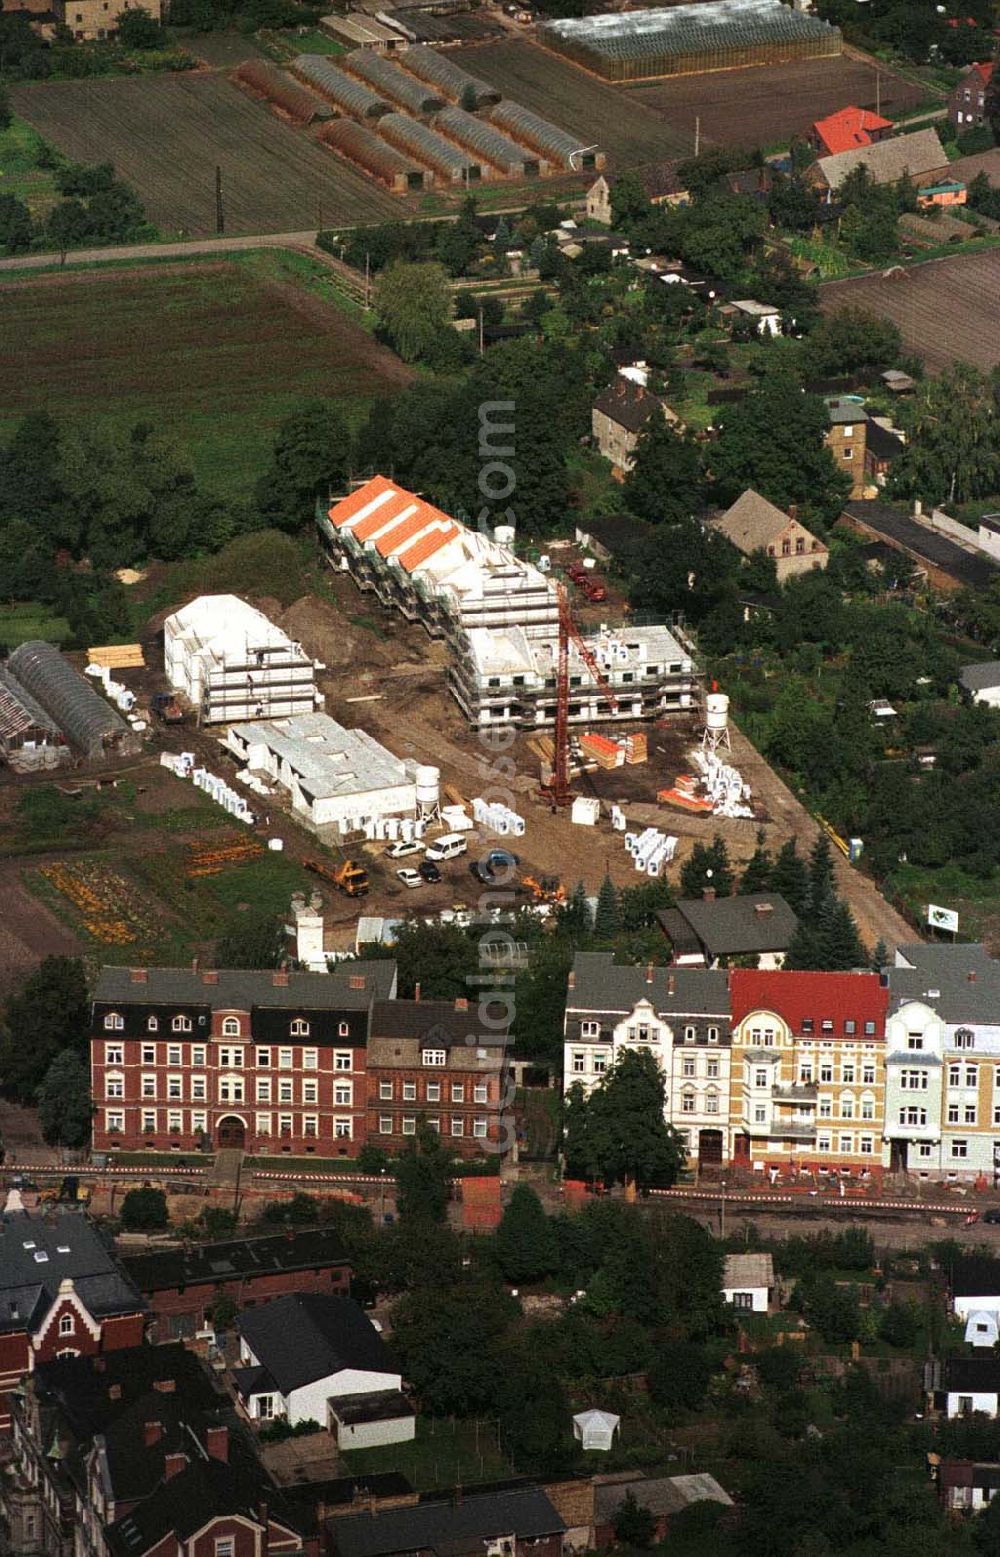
column 244, row 989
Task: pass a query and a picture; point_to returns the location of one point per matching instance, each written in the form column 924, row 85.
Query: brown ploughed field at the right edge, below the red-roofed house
column 945, row 309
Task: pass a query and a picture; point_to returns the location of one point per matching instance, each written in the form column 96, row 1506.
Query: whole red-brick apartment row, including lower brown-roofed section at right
column 289, row 1063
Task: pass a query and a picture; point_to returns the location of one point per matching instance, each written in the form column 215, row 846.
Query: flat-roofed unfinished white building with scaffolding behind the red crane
column 512, row 678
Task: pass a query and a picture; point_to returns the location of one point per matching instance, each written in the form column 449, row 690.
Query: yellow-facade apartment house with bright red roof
column 808, row 1072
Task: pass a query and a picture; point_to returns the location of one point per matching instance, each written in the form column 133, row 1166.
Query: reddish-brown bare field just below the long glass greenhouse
column 769, row 105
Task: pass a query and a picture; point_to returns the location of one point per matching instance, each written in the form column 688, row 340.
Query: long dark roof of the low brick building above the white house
column 309, row 1249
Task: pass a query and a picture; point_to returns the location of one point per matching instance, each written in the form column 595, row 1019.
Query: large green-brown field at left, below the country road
column 213, row 353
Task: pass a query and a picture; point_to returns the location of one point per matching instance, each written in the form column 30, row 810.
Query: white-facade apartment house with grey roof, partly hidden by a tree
column 681, row 1016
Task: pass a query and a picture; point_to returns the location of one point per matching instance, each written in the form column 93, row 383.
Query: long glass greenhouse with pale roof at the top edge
column 688, row 40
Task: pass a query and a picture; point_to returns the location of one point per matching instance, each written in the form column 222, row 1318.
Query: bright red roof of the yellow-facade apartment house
column 812, row 997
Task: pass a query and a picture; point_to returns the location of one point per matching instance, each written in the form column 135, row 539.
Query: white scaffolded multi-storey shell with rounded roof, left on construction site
column 231, row 663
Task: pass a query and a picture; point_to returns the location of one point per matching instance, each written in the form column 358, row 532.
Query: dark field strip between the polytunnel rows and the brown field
column 630, row 133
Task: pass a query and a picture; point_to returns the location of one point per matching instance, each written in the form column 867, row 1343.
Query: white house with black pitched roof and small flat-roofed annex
column 317, row 1358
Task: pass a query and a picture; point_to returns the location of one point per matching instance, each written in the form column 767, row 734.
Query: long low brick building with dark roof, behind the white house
column 186, row 1282
